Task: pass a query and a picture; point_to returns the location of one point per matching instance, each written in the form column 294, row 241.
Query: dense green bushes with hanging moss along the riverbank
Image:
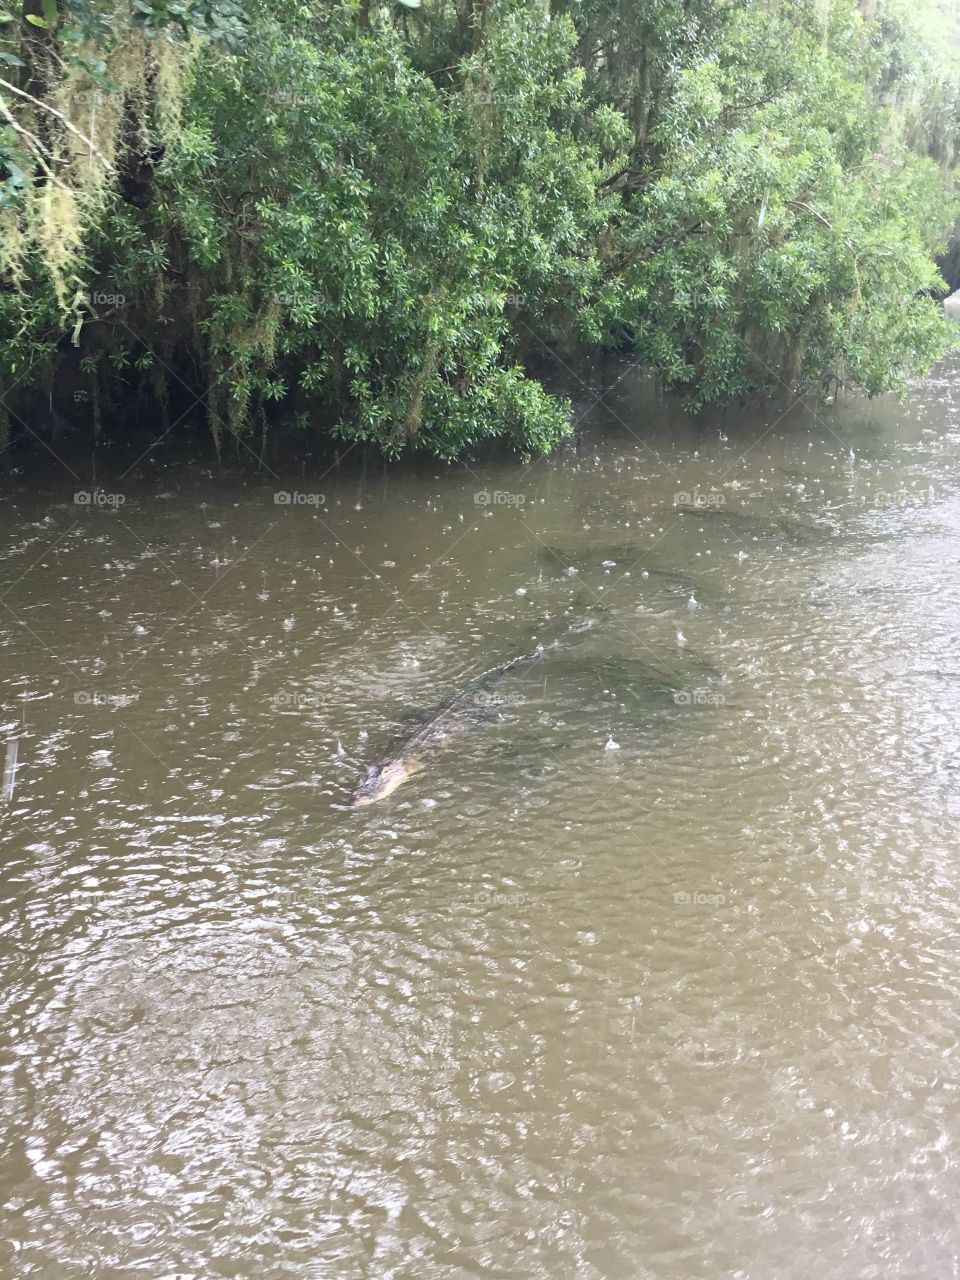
column 365, row 221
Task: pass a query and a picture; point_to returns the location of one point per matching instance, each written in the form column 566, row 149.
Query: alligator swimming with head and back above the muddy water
column 412, row 753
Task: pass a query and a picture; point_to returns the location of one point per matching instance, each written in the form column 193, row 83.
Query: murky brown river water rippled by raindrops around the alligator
column 652, row 975
